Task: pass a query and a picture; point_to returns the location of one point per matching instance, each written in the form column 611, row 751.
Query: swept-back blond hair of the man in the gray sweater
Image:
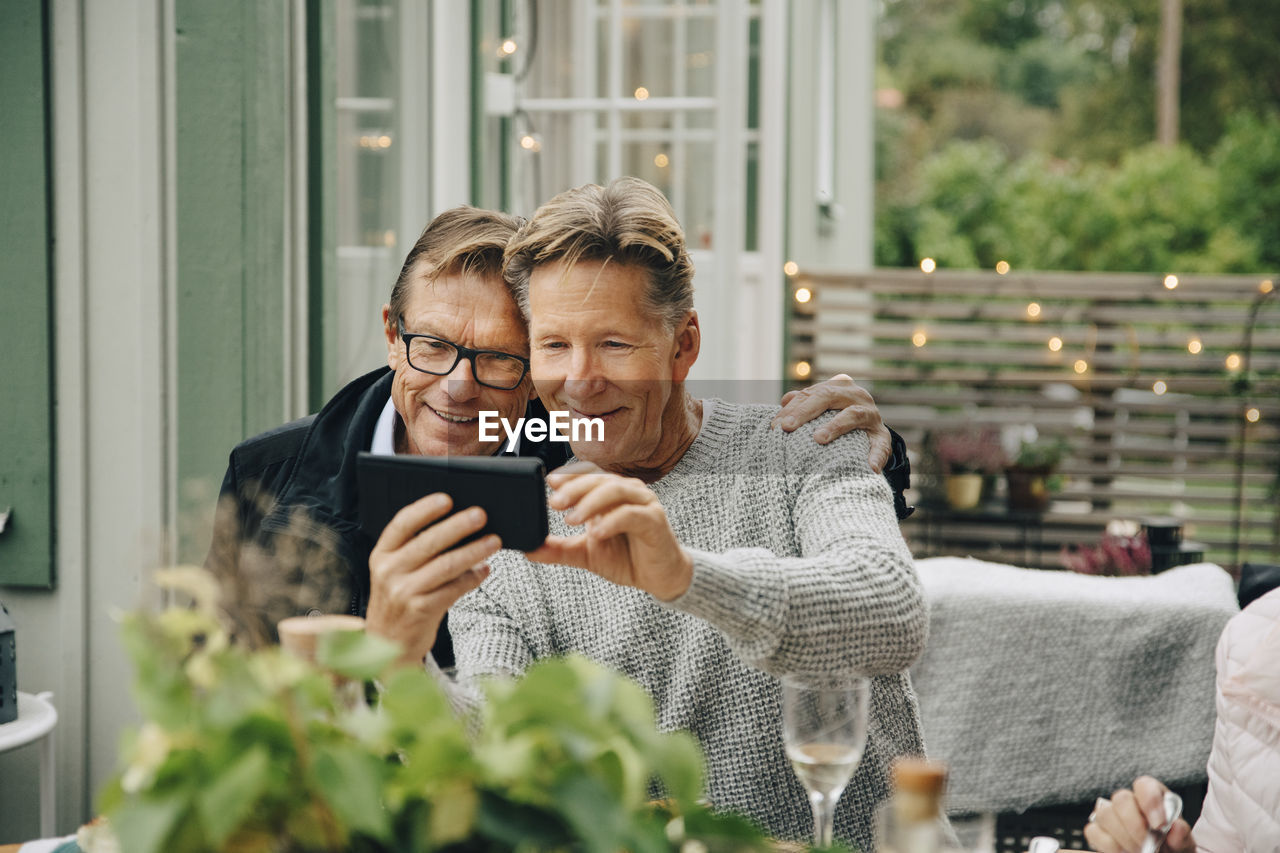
column 628, row 222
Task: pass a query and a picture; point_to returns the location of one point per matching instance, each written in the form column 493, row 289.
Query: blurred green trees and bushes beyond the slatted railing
column 1026, row 135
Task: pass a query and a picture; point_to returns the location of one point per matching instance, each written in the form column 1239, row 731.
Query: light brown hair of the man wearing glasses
column 463, row 240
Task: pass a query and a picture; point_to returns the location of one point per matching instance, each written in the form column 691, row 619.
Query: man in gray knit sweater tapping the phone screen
column 693, row 549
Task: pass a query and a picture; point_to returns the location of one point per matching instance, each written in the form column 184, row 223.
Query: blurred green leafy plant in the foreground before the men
column 257, row 750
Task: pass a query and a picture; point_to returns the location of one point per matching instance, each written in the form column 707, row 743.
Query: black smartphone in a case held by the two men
column 511, row 490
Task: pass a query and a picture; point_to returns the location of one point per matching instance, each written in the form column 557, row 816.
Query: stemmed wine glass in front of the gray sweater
column 825, row 733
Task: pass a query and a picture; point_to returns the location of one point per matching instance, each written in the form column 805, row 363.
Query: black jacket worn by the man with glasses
column 287, row 537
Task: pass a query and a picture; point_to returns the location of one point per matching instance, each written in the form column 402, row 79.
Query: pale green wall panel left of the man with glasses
column 232, row 65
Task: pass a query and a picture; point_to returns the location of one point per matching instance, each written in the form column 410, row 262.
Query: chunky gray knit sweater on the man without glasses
column 799, row 568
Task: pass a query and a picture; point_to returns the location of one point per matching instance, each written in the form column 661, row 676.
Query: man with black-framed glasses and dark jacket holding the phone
column 287, row 536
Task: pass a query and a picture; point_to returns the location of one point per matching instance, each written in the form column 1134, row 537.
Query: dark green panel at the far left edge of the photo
column 26, row 297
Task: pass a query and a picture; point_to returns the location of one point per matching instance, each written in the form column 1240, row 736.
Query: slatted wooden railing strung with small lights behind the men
column 1168, row 391
